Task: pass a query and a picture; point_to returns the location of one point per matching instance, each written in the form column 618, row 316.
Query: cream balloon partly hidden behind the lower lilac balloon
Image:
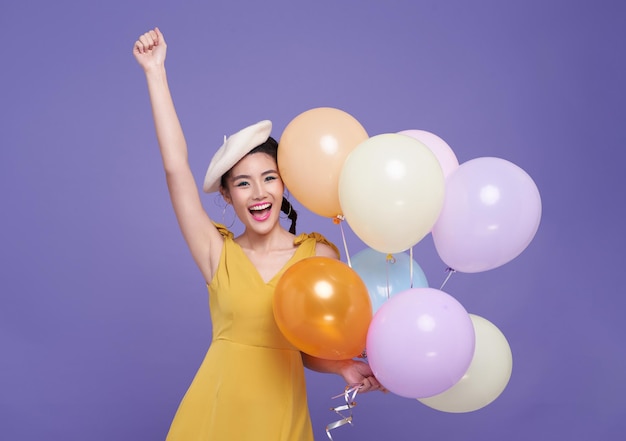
column 487, row 376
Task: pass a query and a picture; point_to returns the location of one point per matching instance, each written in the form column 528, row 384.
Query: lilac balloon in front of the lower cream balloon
column 420, row 343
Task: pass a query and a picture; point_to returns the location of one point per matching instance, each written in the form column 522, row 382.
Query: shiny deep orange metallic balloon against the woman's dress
column 322, row 307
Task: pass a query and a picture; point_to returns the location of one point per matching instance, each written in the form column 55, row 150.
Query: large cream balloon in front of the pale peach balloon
column 391, row 191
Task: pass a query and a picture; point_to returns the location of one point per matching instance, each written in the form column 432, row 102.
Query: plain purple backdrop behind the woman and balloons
column 103, row 315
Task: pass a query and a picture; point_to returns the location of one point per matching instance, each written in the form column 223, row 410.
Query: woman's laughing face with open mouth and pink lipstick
column 254, row 188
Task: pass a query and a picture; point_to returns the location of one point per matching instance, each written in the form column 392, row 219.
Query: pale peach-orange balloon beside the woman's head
column 311, row 153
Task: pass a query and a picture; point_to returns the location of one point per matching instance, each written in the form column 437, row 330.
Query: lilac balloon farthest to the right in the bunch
column 491, row 213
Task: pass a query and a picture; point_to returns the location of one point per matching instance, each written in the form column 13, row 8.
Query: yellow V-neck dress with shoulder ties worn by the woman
column 251, row 384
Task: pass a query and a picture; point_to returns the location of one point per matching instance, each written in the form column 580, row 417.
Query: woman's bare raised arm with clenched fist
column 203, row 239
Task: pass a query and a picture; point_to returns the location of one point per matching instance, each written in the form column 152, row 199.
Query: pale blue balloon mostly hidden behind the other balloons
column 384, row 278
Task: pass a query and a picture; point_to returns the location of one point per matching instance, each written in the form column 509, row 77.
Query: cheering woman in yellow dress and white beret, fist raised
column 251, row 385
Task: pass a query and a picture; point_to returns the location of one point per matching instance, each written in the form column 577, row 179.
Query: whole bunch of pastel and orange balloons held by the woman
column 393, row 189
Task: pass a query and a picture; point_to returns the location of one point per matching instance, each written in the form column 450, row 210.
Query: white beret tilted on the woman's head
column 234, row 148
